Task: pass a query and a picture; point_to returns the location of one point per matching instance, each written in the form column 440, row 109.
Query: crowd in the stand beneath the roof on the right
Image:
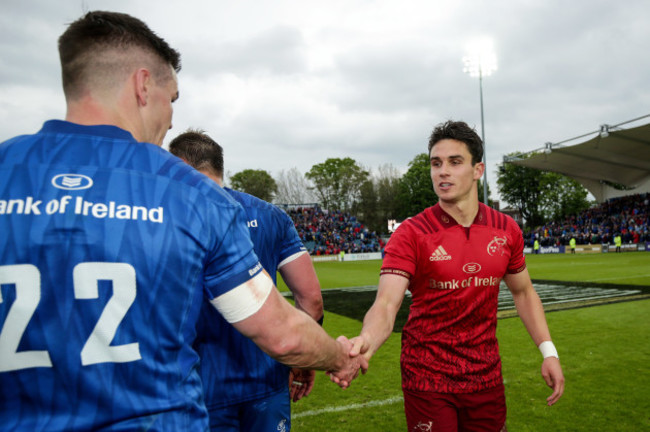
column 627, row 216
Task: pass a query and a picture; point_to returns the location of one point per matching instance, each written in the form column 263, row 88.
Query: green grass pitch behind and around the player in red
column 604, row 349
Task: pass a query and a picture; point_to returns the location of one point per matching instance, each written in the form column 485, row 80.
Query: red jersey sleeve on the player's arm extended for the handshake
column 400, row 253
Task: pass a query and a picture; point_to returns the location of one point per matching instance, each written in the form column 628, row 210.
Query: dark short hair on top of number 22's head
column 101, row 30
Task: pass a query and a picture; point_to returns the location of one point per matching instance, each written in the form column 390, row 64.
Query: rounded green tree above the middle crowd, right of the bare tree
column 337, row 182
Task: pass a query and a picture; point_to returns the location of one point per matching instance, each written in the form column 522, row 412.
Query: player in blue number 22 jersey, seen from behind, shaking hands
column 105, row 243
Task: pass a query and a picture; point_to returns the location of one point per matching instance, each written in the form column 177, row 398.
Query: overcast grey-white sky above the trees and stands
column 288, row 83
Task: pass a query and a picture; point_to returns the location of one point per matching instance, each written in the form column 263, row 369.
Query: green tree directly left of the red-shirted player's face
column 415, row 188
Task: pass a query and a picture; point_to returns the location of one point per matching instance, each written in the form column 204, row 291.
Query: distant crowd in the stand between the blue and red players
column 330, row 232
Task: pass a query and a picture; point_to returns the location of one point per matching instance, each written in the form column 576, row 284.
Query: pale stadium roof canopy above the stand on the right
column 612, row 154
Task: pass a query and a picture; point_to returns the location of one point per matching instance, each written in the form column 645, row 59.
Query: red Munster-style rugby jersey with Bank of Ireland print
column 449, row 342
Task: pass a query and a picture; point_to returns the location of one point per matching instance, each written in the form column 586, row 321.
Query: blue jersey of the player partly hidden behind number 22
column 233, row 368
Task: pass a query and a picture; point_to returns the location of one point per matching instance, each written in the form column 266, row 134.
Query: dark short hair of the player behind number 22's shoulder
column 199, row 150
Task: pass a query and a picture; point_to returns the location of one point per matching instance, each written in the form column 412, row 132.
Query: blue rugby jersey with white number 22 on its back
column 105, row 243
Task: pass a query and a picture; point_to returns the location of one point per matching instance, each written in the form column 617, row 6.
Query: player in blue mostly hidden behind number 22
column 245, row 389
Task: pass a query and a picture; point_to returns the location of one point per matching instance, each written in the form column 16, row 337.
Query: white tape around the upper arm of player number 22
column 243, row 301
